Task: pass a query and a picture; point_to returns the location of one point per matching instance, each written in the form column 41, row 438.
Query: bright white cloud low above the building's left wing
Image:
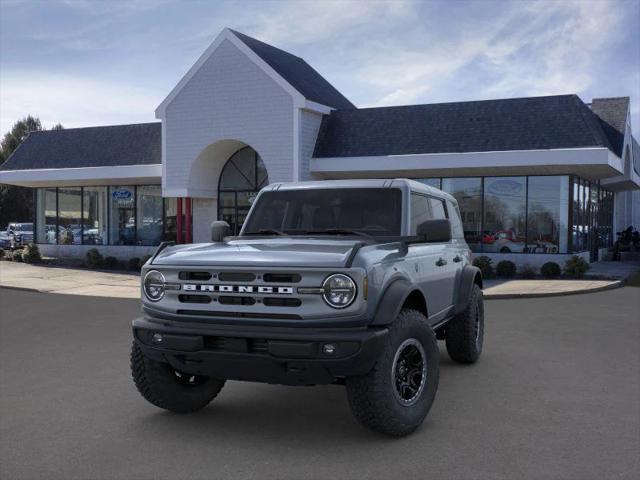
column 73, row 101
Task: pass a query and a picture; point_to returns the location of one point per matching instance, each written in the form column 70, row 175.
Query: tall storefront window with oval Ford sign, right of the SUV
column 504, row 215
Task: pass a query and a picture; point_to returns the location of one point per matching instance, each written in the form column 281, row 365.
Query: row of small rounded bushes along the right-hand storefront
column 575, row 267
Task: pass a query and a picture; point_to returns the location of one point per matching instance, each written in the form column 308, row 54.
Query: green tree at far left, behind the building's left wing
column 16, row 203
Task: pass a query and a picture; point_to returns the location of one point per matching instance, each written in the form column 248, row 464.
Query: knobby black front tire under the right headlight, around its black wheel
column 373, row 397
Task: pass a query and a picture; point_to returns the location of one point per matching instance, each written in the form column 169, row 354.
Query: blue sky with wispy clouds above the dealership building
column 103, row 62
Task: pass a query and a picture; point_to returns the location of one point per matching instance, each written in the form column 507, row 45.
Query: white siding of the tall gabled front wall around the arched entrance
column 230, row 97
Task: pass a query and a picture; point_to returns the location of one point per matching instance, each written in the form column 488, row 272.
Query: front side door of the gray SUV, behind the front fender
column 427, row 262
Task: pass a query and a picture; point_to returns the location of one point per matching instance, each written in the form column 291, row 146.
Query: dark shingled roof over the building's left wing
column 116, row 145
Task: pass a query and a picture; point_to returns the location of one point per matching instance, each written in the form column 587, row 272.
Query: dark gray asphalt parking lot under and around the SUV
column 555, row 395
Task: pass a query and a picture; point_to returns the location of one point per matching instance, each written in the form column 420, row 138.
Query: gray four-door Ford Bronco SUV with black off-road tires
column 348, row 282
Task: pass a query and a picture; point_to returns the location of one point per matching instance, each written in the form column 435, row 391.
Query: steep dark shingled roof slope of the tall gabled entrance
column 298, row 73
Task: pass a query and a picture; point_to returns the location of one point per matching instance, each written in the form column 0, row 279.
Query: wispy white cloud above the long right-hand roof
column 533, row 48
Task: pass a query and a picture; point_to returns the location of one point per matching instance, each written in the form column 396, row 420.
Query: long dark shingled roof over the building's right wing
column 534, row 123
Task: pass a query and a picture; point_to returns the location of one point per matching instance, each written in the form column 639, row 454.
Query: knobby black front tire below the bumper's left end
column 160, row 385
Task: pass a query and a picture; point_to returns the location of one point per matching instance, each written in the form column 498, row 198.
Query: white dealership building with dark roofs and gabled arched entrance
column 536, row 178
